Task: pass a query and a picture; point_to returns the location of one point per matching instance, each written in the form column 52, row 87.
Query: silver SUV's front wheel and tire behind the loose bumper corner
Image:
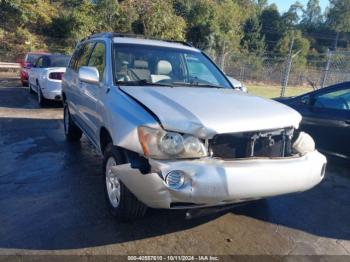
column 122, row 204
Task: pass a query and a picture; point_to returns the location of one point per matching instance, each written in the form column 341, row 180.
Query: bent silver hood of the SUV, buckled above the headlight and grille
column 205, row 112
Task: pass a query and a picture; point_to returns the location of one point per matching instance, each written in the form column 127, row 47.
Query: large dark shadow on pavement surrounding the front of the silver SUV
column 52, row 197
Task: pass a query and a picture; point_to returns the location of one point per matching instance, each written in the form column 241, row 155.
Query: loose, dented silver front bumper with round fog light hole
column 211, row 182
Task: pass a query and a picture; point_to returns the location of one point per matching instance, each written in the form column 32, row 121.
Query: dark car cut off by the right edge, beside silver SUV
column 326, row 116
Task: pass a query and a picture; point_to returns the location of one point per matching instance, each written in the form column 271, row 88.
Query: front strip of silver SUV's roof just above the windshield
column 151, row 42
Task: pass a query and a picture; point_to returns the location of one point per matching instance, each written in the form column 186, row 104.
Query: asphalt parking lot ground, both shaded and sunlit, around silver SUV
column 52, row 202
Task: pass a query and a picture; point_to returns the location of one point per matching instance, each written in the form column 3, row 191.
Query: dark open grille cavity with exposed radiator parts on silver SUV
column 271, row 143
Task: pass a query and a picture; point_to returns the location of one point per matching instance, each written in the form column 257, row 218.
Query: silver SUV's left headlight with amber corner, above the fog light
column 160, row 144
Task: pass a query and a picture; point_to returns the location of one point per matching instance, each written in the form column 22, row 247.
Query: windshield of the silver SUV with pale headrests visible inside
column 142, row 64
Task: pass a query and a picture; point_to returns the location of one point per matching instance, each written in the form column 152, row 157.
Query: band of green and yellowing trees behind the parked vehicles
column 220, row 27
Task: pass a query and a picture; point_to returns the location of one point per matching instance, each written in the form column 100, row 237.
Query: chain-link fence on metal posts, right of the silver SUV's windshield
column 270, row 69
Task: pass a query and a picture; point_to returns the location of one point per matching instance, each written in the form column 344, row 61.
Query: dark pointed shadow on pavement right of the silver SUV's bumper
column 322, row 211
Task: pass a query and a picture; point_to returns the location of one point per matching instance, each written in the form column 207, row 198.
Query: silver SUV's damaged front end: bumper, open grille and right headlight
column 238, row 167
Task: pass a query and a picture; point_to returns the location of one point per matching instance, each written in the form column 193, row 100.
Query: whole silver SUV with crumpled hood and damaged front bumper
column 175, row 133
